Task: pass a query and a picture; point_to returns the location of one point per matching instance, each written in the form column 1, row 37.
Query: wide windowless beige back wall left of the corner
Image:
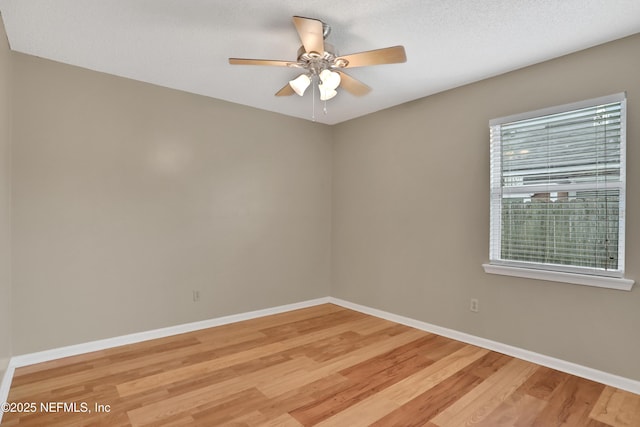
column 128, row 196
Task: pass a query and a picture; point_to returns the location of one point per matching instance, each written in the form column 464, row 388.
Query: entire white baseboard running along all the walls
column 540, row 359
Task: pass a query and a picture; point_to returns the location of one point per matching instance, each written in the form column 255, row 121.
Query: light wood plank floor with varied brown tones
column 324, row 365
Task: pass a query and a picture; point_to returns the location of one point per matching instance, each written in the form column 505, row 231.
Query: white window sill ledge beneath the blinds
column 555, row 276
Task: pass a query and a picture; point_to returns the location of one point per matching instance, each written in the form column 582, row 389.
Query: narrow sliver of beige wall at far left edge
column 5, row 201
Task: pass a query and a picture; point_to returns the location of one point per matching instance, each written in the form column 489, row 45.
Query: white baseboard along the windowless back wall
column 73, row 350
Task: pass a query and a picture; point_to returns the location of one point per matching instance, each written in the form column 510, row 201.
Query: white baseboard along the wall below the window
column 613, row 380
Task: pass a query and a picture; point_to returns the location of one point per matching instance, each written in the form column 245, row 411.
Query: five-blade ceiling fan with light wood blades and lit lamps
column 320, row 63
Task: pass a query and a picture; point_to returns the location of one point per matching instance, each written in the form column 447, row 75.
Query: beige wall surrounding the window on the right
column 411, row 215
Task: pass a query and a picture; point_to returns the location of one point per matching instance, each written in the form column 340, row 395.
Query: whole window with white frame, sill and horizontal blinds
column 558, row 193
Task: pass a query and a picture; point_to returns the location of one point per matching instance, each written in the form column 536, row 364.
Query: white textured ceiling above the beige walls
column 184, row 44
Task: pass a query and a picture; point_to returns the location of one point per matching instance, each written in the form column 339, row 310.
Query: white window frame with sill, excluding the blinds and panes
column 536, row 270
